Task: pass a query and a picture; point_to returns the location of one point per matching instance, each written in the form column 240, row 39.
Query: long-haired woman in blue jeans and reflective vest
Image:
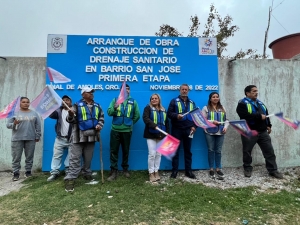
column 215, row 112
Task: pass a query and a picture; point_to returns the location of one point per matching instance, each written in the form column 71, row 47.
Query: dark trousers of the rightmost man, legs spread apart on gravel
column 264, row 141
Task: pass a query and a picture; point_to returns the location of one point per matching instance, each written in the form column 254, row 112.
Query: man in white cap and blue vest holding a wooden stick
column 87, row 119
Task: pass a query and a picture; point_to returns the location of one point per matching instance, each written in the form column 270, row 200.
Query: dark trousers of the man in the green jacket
column 117, row 139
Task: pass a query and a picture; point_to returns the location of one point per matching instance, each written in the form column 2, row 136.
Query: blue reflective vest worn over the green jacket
column 124, row 113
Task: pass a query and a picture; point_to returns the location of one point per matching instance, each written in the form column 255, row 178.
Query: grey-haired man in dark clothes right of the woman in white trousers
column 182, row 129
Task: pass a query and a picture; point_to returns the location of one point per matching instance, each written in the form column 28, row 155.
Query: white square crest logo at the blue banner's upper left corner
column 57, row 43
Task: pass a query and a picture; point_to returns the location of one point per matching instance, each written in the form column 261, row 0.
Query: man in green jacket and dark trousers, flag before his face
column 124, row 116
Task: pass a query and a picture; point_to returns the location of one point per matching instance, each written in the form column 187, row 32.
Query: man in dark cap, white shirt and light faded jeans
column 63, row 132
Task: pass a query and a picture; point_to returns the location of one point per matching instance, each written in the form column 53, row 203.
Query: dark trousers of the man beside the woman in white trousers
column 183, row 136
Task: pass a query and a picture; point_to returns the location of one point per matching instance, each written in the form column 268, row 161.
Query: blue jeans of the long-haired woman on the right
column 214, row 144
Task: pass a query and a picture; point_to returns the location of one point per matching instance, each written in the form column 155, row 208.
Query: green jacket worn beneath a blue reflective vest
column 111, row 111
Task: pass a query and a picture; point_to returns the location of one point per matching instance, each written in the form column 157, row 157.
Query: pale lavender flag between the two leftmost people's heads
column 46, row 102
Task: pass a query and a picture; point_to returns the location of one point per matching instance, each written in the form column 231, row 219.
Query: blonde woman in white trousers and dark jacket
column 154, row 116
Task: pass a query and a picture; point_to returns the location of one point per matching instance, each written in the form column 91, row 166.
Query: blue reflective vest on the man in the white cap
column 87, row 119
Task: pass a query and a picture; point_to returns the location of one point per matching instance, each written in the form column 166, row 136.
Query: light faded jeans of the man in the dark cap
column 60, row 145
